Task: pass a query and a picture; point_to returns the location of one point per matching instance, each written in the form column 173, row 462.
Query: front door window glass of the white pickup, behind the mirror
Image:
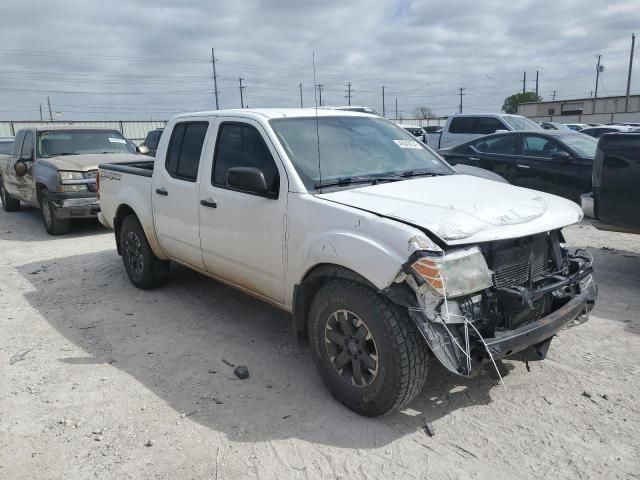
column 243, row 146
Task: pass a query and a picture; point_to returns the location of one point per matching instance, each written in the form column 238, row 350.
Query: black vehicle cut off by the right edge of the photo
column 615, row 200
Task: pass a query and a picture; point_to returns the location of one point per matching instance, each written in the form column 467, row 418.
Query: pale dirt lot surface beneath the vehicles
column 100, row 380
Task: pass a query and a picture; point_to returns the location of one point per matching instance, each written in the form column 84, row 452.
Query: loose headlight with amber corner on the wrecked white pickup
column 459, row 272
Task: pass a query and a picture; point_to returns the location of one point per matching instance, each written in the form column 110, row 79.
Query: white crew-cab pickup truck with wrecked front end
column 379, row 249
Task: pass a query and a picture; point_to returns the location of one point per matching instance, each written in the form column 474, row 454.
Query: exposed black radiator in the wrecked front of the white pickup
column 511, row 260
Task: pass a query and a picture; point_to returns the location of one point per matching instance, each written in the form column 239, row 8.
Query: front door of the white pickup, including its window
column 243, row 233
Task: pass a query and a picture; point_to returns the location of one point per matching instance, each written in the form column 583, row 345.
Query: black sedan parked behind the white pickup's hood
column 551, row 161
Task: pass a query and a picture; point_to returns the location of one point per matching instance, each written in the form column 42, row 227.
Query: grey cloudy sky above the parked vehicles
column 151, row 59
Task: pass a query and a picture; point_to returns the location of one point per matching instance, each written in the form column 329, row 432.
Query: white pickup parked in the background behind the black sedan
column 461, row 128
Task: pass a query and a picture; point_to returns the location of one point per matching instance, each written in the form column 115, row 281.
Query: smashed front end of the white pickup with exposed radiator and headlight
column 500, row 299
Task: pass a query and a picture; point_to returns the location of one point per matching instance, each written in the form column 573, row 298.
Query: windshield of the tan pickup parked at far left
column 77, row 142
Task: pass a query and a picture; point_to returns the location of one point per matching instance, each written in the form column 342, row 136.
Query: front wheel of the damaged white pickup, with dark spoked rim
column 368, row 352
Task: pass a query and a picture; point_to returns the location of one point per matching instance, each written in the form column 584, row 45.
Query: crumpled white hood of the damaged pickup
column 461, row 209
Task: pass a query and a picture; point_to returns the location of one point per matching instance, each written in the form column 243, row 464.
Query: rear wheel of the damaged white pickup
column 144, row 269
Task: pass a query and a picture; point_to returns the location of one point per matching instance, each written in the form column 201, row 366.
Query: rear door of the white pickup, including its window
column 176, row 193
